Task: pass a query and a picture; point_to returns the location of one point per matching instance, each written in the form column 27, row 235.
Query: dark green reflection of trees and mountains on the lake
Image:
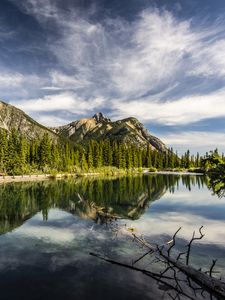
column 90, row 198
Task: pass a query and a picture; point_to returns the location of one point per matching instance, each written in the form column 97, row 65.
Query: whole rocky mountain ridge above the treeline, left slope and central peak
column 98, row 127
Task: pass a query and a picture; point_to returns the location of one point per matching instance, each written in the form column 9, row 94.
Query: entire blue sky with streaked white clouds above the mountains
column 161, row 61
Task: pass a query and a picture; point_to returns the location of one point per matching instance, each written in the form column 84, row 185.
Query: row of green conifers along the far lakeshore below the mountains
column 21, row 156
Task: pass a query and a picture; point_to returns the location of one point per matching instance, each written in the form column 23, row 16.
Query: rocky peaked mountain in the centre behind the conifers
column 99, row 127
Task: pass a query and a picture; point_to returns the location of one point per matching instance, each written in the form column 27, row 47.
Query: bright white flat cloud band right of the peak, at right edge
column 186, row 110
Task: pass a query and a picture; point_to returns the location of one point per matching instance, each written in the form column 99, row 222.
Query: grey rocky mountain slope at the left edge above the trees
column 12, row 117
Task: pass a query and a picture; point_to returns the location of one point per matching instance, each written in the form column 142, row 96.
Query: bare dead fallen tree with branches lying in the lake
column 205, row 281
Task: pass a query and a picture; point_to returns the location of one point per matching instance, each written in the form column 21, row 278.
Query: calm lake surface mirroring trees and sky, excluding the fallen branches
column 48, row 229
